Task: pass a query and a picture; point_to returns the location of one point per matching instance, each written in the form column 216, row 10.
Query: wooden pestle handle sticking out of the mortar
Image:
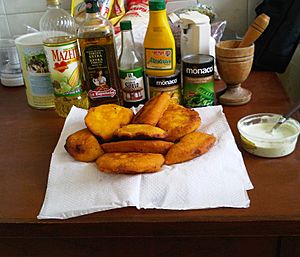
column 255, row 30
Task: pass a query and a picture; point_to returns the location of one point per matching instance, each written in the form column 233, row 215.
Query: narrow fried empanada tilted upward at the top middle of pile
column 152, row 111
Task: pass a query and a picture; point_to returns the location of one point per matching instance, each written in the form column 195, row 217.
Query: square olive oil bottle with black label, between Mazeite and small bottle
column 98, row 54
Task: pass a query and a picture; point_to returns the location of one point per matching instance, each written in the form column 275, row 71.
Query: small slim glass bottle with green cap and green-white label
column 131, row 69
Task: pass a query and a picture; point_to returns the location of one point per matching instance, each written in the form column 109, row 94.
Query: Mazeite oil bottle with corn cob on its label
column 58, row 29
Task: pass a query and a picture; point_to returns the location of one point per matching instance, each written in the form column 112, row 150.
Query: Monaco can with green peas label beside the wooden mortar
column 198, row 80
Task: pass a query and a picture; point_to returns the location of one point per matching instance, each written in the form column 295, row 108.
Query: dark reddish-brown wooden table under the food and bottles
column 269, row 228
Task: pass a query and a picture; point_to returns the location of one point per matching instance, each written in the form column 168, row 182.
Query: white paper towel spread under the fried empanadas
column 216, row 179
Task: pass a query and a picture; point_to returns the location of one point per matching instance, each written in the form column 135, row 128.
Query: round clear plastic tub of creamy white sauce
column 257, row 139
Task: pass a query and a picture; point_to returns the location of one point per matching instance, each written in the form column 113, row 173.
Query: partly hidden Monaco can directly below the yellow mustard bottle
column 169, row 84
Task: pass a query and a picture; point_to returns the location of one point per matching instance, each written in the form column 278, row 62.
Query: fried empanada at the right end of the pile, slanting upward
column 189, row 147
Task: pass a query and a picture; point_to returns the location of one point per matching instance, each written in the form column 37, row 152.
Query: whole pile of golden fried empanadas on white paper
column 121, row 142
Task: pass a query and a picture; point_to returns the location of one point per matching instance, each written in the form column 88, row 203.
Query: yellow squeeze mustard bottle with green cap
column 159, row 42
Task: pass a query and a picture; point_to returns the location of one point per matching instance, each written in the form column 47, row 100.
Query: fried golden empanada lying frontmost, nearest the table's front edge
column 130, row 162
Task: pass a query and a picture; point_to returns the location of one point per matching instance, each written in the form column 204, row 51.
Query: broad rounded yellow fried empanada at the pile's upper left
column 105, row 119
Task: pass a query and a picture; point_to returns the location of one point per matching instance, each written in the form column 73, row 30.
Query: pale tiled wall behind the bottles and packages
column 16, row 14
